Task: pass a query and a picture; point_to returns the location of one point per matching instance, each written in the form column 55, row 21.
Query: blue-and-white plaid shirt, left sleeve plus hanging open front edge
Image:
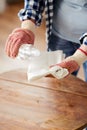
column 33, row 9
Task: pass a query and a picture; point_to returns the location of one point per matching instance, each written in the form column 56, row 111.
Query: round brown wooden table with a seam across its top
column 45, row 104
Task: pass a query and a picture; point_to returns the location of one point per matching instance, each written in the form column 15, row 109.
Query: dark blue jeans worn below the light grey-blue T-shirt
column 68, row 47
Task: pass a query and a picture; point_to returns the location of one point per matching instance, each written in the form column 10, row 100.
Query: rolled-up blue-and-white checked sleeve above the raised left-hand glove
column 33, row 9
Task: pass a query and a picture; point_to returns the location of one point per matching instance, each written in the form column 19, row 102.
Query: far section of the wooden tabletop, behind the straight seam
column 70, row 84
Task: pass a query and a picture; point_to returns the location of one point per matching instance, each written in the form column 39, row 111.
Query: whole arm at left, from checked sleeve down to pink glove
column 31, row 16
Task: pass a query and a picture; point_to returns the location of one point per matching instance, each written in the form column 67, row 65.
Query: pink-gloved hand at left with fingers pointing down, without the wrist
column 16, row 39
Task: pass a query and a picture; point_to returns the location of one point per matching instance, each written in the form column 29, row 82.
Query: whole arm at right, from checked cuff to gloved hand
column 72, row 63
